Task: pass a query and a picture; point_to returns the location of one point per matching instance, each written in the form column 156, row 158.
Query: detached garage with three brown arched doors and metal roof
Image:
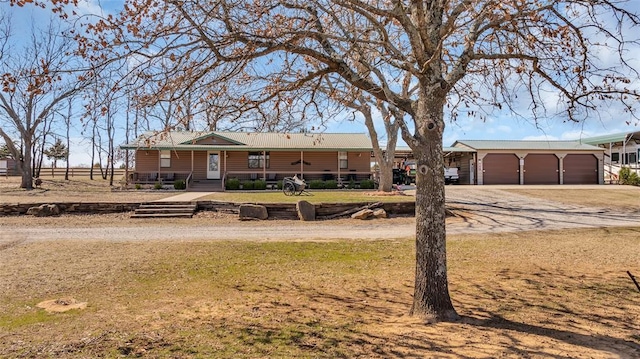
column 485, row 162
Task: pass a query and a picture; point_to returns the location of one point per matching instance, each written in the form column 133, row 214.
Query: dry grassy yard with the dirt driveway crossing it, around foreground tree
column 527, row 275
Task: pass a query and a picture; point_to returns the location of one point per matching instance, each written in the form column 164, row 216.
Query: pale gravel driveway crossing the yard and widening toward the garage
column 483, row 209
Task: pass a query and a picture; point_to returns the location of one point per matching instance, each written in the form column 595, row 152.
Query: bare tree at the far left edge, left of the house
column 36, row 77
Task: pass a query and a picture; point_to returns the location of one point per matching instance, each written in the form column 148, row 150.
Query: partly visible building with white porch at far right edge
column 620, row 149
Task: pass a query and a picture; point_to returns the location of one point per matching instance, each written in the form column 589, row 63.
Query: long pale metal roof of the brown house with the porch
column 186, row 140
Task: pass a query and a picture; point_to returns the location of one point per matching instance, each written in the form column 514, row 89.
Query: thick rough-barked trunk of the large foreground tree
column 431, row 297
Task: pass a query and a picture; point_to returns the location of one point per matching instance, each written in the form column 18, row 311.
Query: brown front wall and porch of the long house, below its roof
column 347, row 169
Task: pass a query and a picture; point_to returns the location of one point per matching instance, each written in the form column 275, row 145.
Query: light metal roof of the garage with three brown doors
column 525, row 145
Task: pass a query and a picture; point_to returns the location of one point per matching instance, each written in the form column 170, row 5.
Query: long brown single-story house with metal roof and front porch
column 212, row 157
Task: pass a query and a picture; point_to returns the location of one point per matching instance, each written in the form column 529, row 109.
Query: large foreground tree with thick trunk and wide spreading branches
column 457, row 56
